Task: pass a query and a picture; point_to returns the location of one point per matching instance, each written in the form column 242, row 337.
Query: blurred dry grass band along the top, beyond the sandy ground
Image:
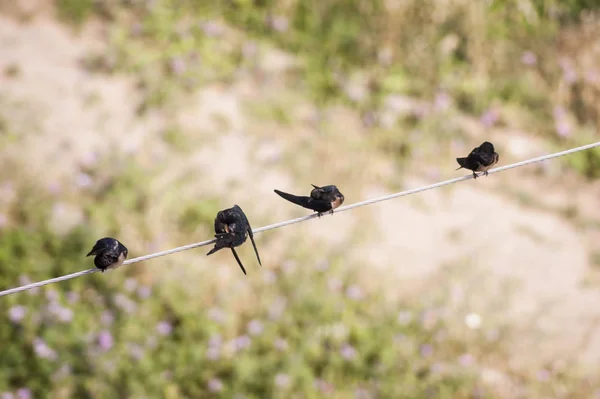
column 501, row 55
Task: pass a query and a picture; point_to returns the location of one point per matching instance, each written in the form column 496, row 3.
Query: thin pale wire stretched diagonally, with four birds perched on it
column 304, row 218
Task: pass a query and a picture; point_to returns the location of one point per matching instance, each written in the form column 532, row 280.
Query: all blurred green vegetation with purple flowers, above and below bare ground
column 298, row 328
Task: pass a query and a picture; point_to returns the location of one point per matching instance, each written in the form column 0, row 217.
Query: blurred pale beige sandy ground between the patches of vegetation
column 71, row 116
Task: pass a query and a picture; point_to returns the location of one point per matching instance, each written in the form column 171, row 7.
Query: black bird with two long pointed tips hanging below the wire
column 232, row 228
